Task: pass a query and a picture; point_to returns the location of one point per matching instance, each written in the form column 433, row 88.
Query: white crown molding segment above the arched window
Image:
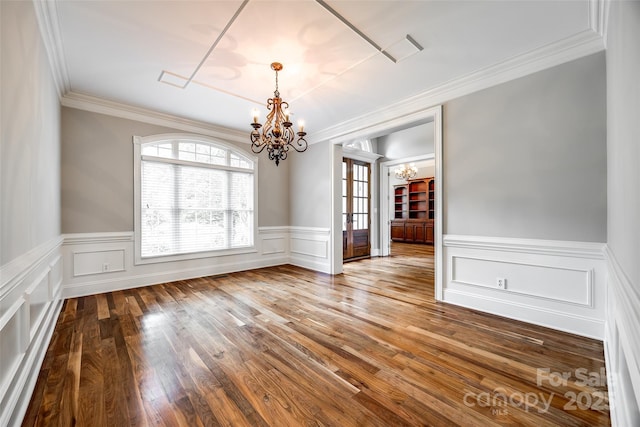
column 99, row 105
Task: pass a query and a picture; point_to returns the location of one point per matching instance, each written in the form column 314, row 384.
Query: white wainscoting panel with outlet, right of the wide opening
column 558, row 284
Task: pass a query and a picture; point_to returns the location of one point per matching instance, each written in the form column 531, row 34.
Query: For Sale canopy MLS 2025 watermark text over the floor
column 500, row 400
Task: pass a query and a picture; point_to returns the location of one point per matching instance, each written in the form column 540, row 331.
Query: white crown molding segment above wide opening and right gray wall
column 574, row 47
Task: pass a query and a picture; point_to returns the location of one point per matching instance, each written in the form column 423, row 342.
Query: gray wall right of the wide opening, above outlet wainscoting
column 527, row 158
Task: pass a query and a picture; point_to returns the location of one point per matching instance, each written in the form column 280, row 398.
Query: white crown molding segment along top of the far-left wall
column 49, row 25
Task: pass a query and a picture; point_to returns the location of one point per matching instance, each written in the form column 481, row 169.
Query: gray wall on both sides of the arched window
column 97, row 174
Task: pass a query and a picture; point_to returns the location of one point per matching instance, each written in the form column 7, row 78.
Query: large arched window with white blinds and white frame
column 194, row 197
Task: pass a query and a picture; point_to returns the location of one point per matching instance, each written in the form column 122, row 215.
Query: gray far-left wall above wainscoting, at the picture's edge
column 30, row 132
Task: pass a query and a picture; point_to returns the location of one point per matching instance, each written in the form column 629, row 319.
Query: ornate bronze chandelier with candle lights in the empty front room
column 277, row 136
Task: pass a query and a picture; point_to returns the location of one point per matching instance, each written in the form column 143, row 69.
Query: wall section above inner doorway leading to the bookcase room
column 411, row 142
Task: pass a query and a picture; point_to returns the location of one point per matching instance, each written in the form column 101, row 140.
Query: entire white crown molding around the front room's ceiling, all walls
column 399, row 114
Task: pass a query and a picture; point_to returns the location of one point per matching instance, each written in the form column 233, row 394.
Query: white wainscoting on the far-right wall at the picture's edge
column 622, row 346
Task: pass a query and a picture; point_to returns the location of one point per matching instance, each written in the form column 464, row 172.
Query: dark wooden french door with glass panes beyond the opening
column 356, row 219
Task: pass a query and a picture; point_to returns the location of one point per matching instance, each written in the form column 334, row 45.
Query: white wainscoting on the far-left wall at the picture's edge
column 30, row 301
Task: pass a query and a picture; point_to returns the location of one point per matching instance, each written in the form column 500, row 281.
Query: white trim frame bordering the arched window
column 138, row 142
